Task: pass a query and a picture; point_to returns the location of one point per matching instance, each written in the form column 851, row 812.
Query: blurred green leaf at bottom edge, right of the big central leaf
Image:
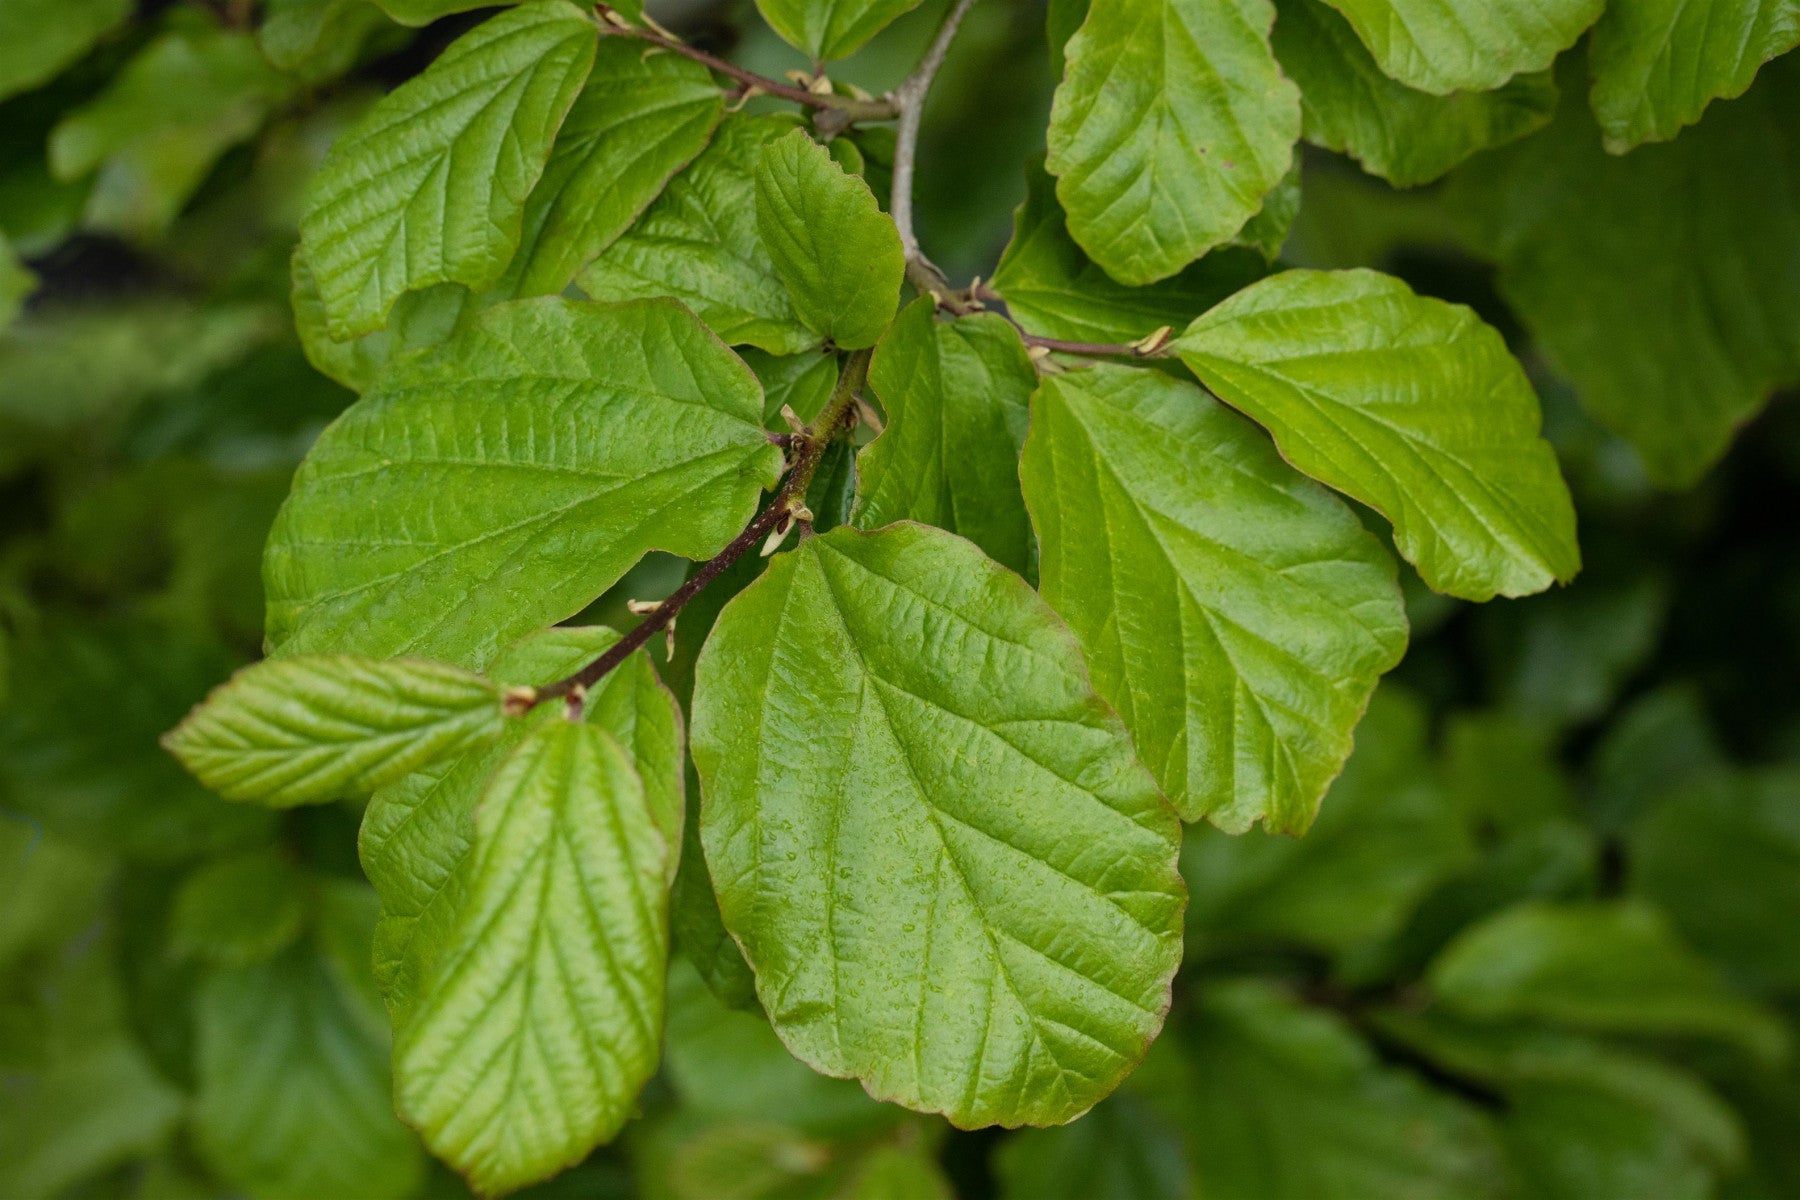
column 1277, row 1102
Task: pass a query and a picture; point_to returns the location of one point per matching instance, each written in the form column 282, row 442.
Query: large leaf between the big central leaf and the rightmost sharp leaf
column 1232, row 611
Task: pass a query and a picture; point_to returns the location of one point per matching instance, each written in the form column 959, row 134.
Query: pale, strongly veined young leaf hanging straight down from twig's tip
column 544, row 1016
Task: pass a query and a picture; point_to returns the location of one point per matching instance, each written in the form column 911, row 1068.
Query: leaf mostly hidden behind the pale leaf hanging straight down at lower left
column 417, row 834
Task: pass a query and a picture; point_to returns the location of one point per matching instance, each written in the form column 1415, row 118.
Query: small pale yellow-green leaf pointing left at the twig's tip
column 310, row 730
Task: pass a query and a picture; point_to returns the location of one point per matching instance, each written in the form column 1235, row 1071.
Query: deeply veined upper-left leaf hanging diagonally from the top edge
column 431, row 186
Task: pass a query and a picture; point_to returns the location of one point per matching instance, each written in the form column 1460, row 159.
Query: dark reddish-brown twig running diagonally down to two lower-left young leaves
column 789, row 503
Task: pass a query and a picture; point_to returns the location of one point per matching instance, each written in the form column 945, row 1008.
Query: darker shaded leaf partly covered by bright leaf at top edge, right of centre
column 1403, row 136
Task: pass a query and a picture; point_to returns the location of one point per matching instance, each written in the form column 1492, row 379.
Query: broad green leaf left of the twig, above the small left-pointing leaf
column 566, row 440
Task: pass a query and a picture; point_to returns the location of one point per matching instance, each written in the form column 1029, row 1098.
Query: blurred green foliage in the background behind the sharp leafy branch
column 1543, row 942
